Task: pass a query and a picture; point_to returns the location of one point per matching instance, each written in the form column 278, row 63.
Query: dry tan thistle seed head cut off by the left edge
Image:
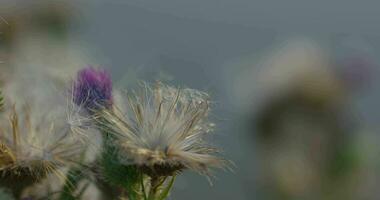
column 33, row 145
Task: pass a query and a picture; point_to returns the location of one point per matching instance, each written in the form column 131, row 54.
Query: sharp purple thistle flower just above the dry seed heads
column 93, row 89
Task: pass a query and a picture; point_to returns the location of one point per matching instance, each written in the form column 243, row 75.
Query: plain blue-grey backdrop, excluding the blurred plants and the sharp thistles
column 192, row 42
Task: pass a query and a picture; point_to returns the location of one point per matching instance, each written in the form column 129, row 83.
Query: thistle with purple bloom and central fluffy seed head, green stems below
column 149, row 137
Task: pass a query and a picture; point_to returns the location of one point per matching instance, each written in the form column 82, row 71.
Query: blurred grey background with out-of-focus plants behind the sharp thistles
column 295, row 83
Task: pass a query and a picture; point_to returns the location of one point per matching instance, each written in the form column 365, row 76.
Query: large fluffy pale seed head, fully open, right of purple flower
column 162, row 130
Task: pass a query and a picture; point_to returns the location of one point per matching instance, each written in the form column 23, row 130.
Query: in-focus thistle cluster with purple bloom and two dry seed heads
column 147, row 138
